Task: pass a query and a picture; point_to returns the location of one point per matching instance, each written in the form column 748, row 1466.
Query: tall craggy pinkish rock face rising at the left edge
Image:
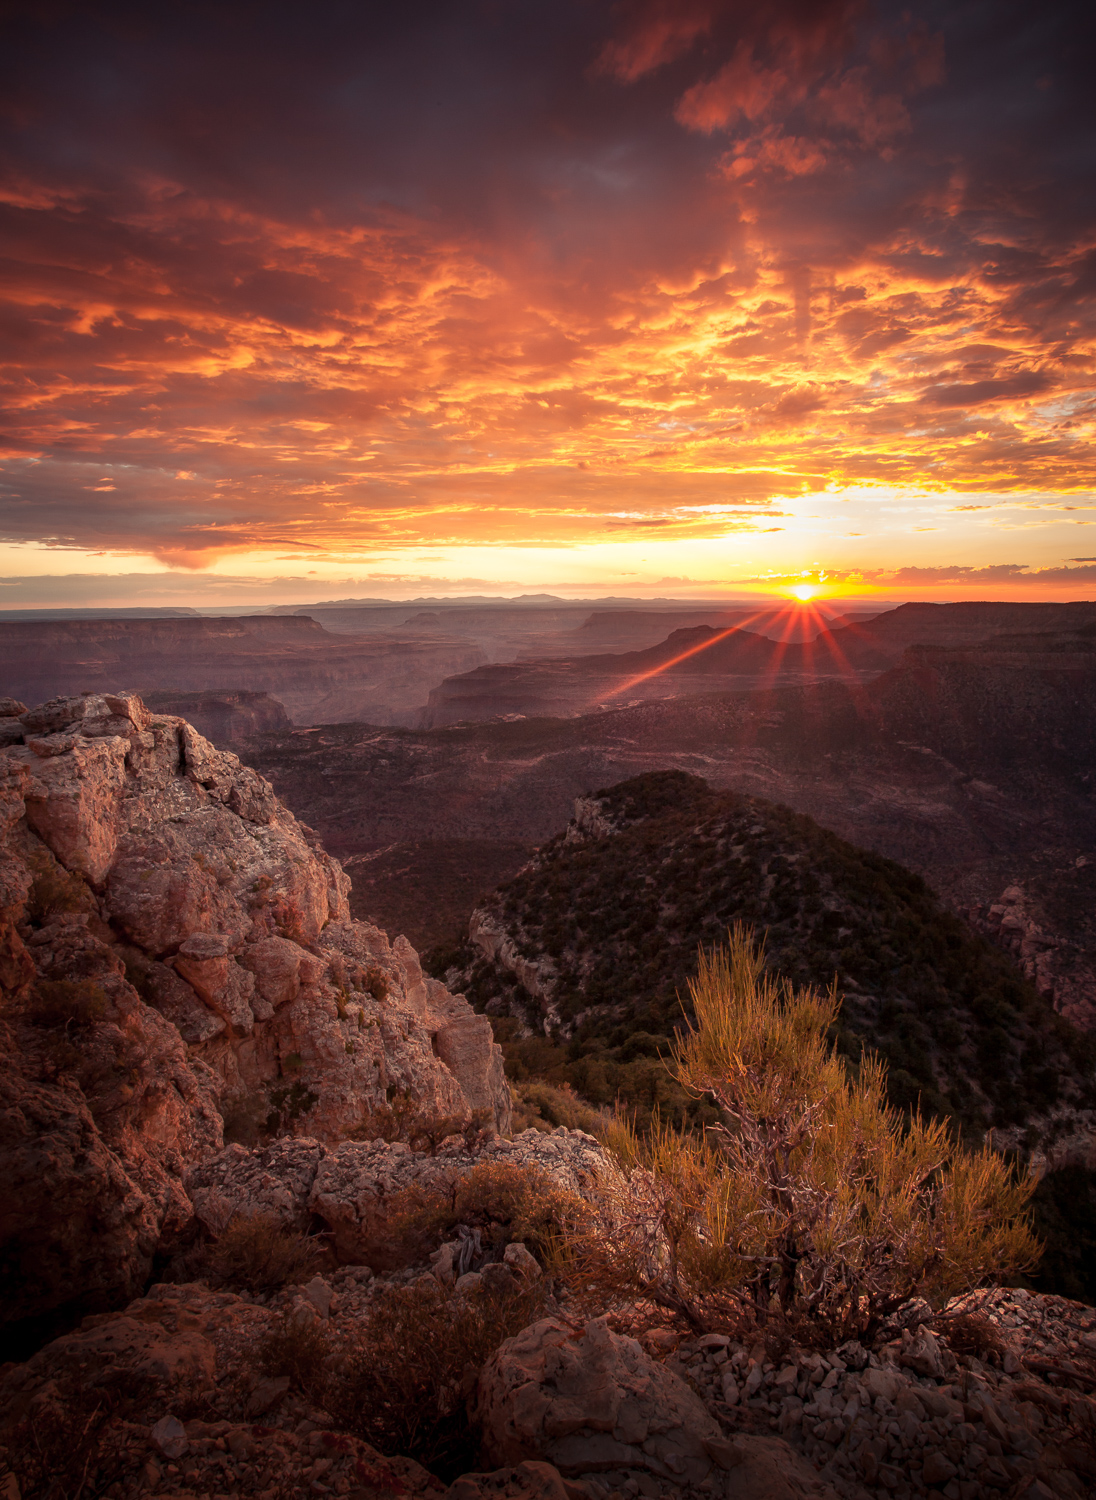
column 176, row 950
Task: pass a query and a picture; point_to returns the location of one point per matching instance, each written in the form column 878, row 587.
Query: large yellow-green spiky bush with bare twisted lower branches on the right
column 812, row 1198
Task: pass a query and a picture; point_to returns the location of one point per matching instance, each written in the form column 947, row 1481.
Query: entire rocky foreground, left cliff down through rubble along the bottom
column 178, row 968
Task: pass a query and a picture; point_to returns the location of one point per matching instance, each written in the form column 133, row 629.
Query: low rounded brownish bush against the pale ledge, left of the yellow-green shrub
column 503, row 1201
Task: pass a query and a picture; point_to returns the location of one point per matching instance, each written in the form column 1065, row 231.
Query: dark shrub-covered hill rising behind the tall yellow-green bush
column 623, row 916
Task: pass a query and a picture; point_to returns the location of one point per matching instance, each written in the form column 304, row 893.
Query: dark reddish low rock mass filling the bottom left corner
column 109, row 1396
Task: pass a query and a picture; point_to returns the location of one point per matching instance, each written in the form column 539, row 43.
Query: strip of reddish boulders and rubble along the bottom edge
column 986, row 1399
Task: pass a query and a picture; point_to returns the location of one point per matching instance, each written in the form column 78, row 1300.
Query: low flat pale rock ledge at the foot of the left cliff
column 358, row 1190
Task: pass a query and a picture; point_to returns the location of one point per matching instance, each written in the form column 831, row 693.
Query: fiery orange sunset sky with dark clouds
column 636, row 299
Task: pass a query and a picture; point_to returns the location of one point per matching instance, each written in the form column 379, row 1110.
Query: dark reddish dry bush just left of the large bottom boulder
column 415, row 1363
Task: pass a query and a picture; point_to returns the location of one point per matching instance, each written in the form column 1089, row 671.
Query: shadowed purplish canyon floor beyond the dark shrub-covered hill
column 974, row 769
